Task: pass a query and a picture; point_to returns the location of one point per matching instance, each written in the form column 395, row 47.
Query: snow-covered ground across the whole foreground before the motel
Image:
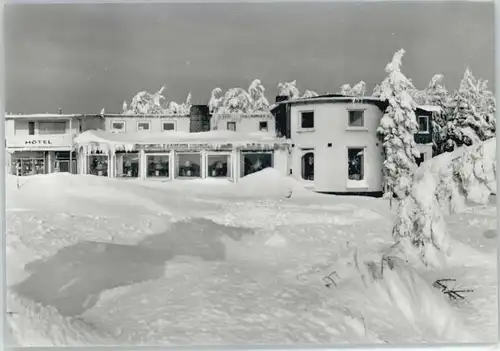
column 97, row 261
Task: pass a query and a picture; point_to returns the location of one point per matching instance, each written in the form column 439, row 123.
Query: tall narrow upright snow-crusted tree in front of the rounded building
column 397, row 129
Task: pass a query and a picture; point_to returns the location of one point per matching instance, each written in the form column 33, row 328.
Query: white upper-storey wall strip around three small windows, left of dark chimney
column 181, row 123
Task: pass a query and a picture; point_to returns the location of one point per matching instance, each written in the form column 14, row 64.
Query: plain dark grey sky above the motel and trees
column 85, row 57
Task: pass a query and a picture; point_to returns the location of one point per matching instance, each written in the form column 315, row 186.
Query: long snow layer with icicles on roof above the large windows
column 217, row 137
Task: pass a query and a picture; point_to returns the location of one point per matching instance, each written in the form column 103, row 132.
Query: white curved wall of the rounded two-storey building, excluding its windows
column 331, row 126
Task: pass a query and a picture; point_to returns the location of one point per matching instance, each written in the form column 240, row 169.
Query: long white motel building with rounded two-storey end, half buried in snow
column 328, row 143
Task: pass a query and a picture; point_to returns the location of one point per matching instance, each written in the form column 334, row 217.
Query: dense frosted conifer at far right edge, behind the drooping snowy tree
column 472, row 114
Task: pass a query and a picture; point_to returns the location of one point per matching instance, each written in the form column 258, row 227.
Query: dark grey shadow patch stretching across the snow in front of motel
column 72, row 279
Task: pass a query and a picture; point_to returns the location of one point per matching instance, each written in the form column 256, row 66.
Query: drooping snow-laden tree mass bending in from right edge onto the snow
column 442, row 185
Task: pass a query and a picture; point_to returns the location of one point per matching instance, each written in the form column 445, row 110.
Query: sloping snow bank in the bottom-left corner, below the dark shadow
column 34, row 325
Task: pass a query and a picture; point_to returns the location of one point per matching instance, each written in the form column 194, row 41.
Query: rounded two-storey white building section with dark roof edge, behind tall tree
column 334, row 143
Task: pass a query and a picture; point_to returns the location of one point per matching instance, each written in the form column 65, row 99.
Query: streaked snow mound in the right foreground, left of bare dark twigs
column 396, row 294
